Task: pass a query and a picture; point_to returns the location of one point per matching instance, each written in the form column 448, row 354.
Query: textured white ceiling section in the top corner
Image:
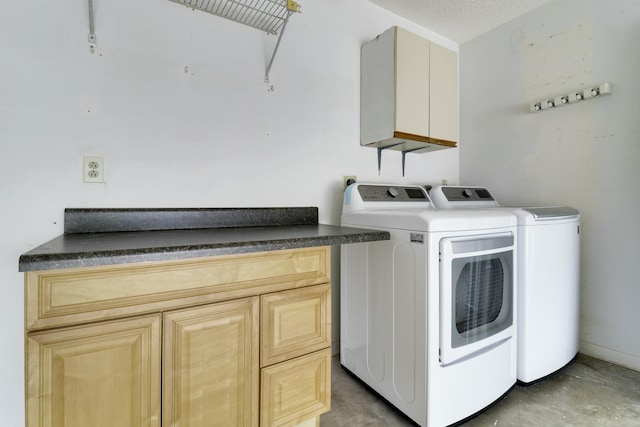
column 459, row 20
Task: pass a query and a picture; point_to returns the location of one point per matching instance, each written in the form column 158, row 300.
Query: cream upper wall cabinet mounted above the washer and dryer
column 408, row 93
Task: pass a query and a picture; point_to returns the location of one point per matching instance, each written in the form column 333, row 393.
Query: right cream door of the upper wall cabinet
column 444, row 93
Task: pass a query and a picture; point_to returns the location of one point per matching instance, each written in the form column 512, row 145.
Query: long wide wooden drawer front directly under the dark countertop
column 72, row 296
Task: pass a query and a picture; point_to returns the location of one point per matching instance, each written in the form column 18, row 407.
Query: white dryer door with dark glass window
column 476, row 294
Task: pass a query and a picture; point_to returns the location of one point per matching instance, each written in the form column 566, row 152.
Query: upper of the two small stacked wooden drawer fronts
column 295, row 323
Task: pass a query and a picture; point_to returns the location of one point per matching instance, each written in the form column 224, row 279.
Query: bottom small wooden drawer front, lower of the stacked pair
column 296, row 390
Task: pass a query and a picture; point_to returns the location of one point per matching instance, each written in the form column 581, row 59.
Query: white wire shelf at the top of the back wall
column 265, row 15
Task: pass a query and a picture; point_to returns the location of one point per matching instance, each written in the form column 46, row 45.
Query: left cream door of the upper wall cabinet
column 412, row 83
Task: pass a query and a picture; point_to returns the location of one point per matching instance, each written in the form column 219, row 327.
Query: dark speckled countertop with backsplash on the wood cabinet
column 95, row 237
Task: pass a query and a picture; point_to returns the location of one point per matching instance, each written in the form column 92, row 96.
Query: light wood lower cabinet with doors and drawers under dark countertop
column 257, row 357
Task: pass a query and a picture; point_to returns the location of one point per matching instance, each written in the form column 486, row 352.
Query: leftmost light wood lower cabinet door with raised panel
column 101, row 375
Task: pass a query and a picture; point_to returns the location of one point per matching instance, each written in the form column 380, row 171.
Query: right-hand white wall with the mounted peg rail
column 584, row 155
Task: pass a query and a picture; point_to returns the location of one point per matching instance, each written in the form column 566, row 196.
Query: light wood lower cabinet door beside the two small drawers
column 210, row 367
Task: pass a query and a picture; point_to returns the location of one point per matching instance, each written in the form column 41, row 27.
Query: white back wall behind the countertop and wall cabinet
column 213, row 136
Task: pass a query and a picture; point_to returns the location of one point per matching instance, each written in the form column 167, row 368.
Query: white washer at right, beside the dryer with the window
column 548, row 279
